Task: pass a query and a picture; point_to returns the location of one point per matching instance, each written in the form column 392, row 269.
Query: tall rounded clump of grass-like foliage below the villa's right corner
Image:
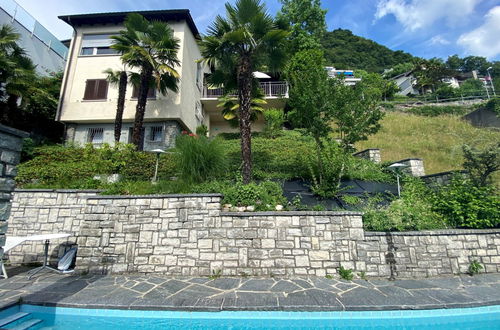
column 199, row 158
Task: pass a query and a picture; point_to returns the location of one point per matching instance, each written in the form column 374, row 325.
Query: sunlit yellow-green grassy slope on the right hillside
column 438, row 140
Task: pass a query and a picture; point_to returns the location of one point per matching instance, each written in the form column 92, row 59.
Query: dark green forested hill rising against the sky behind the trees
column 344, row 50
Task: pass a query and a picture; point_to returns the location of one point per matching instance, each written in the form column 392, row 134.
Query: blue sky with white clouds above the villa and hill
column 425, row 28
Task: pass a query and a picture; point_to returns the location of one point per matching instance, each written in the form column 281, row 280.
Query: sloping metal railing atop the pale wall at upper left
column 20, row 15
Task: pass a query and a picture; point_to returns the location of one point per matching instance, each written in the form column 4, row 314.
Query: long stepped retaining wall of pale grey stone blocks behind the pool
column 189, row 235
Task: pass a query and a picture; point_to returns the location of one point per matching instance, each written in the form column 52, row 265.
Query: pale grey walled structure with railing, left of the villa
column 44, row 49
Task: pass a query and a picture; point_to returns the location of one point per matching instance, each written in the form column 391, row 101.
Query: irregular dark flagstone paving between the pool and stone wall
column 237, row 293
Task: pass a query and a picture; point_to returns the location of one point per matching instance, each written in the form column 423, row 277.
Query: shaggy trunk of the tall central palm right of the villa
column 245, row 97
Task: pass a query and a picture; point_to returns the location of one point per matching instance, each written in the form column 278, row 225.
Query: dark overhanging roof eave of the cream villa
column 119, row 17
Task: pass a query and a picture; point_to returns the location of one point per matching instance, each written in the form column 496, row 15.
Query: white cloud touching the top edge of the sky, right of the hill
column 418, row 14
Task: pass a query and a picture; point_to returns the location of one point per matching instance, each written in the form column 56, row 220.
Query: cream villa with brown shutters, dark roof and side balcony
column 88, row 103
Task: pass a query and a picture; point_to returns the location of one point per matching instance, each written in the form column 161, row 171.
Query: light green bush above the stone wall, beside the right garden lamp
column 413, row 211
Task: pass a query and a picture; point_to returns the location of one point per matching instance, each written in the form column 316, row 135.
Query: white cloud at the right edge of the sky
column 485, row 39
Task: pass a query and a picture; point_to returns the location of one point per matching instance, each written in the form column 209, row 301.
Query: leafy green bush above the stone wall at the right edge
column 464, row 205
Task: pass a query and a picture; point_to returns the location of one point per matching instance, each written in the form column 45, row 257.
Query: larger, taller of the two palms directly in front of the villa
column 151, row 48
